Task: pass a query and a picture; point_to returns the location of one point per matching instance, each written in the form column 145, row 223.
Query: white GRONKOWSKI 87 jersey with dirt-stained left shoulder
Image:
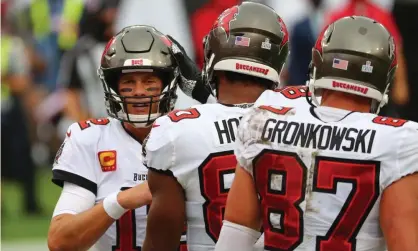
column 320, row 181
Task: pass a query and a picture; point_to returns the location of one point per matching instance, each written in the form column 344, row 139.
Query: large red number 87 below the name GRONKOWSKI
column 288, row 172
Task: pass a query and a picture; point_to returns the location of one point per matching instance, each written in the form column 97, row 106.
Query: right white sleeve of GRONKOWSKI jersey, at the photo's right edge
column 406, row 156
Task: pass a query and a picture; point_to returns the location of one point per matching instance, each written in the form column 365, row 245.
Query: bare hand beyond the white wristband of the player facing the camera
column 135, row 197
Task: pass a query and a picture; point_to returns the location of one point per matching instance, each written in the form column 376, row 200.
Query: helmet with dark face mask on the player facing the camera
column 142, row 50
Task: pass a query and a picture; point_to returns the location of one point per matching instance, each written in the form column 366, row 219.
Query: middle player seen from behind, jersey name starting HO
column 189, row 152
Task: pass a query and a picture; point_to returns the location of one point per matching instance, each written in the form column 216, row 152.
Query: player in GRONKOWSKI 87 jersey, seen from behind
column 335, row 176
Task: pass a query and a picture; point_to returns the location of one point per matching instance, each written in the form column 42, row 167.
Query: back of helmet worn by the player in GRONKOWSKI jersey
column 355, row 55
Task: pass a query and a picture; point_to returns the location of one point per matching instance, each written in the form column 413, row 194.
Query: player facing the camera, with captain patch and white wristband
column 100, row 157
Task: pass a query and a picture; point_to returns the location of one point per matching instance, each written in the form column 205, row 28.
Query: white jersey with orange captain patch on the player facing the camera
column 100, row 156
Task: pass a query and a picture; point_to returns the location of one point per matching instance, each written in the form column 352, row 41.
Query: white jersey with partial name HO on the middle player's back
column 196, row 147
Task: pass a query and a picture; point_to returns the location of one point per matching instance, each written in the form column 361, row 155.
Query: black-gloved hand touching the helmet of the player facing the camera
column 191, row 82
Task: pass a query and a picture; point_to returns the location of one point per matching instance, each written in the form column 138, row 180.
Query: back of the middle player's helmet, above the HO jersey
column 238, row 44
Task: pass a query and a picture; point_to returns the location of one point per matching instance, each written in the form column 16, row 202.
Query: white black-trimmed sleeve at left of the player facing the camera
column 76, row 159
